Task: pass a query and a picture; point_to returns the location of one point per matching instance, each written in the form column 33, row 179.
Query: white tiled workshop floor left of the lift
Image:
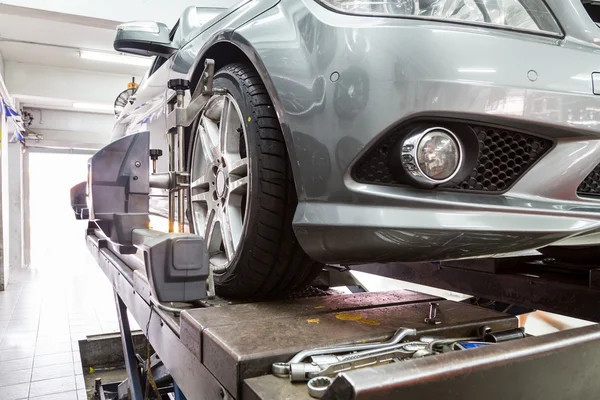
column 48, row 308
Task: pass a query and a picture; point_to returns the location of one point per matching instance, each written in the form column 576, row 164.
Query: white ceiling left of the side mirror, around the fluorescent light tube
column 54, row 39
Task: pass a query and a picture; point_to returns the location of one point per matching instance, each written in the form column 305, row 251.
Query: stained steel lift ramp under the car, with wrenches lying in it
column 223, row 350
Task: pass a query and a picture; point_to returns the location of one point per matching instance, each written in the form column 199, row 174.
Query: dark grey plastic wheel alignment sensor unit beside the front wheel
column 176, row 264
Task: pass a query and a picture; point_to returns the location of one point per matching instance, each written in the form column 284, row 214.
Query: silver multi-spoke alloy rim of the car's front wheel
column 220, row 180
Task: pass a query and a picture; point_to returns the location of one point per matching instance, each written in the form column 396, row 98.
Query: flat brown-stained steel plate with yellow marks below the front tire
column 242, row 341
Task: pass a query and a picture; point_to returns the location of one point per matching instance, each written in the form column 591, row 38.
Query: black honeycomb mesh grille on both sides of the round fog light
column 503, row 157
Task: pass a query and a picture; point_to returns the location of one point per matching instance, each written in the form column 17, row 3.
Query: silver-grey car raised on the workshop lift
column 358, row 131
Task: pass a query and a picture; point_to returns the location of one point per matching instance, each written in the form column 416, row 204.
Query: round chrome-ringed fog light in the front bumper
column 432, row 156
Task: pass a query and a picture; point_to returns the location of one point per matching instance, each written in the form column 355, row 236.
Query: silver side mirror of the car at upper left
column 144, row 39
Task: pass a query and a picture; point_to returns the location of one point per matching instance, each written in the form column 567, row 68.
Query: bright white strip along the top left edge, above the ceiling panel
column 119, row 10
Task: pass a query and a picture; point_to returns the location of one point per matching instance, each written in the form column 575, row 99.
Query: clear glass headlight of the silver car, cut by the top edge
column 530, row 15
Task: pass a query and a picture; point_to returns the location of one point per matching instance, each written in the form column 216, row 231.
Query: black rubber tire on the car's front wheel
column 269, row 260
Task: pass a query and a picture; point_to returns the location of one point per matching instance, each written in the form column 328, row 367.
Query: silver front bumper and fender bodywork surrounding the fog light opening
column 341, row 83
